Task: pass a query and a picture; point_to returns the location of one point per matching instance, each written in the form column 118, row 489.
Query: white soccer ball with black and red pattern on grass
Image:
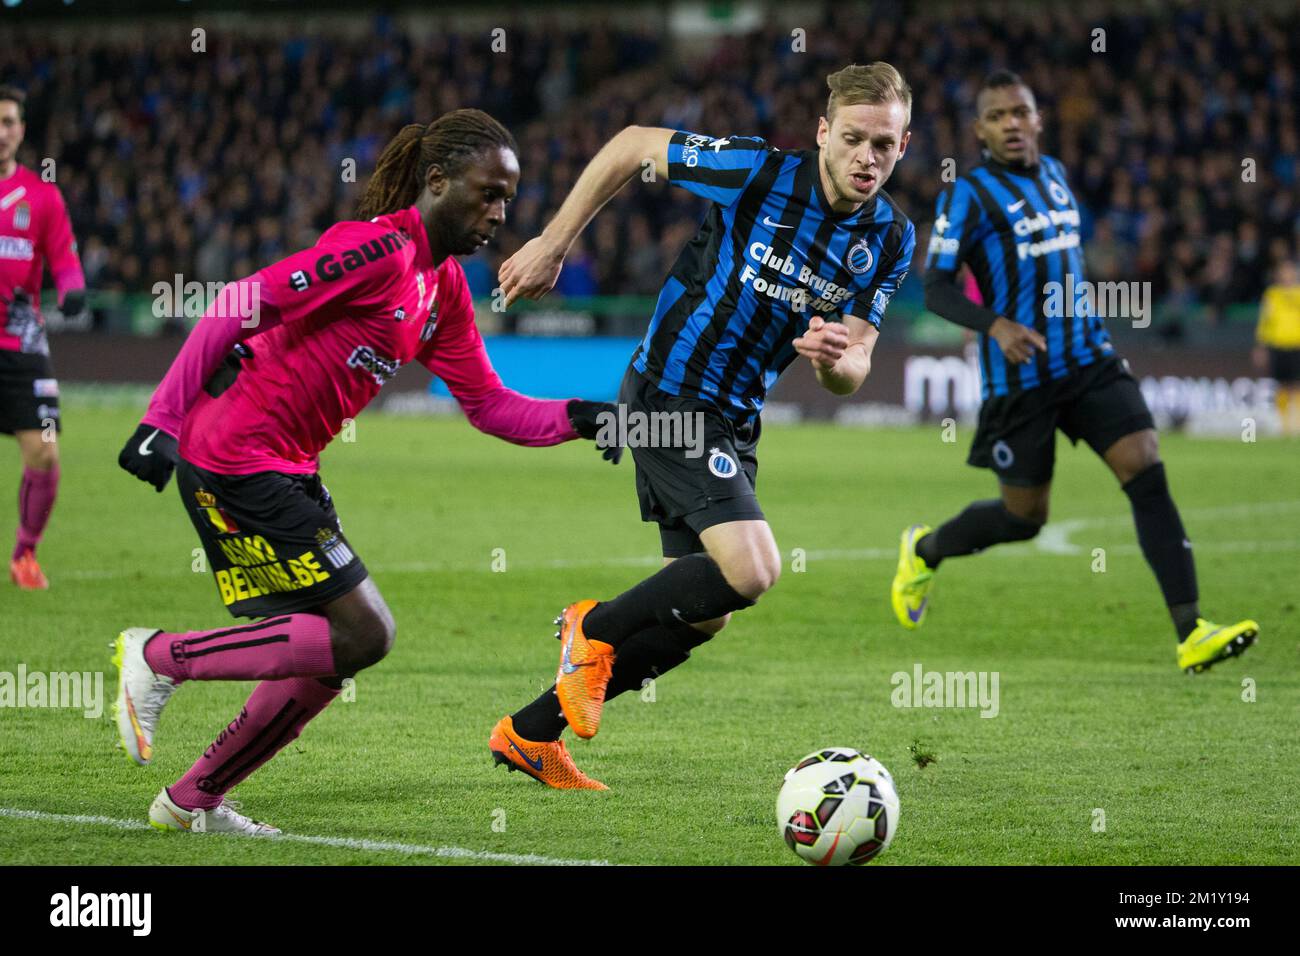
column 838, row 807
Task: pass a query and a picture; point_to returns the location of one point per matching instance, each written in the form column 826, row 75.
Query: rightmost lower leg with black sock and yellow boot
column 1136, row 462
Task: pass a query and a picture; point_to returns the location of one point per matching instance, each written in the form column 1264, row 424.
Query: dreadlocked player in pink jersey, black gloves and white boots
column 330, row 327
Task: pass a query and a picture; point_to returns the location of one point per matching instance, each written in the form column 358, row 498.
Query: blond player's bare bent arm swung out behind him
column 534, row 270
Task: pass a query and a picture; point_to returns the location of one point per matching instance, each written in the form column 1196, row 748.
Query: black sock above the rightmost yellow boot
column 1165, row 546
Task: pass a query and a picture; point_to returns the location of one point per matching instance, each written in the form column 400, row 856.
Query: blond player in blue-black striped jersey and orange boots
column 798, row 257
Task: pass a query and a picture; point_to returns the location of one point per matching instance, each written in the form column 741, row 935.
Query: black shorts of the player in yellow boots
column 1100, row 404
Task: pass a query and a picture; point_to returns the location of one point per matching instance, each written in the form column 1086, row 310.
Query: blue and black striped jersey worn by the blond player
column 769, row 257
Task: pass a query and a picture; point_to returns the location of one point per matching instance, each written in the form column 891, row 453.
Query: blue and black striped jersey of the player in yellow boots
column 1019, row 232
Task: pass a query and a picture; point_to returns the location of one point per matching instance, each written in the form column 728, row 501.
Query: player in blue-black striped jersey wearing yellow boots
column 1015, row 223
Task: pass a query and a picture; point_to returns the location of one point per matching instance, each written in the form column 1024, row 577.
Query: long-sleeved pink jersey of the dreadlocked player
column 332, row 326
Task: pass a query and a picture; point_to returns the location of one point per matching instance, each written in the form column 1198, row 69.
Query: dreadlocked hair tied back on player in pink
column 450, row 142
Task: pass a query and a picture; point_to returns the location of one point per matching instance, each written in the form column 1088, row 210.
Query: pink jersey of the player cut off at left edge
column 34, row 230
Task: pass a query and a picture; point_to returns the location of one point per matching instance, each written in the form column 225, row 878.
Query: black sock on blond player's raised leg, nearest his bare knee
column 688, row 591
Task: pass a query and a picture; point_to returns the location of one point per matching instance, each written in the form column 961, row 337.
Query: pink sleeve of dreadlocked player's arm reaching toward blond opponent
column 458, row 357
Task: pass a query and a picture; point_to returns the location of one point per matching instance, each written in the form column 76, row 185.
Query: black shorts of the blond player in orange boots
column 703, row 478
